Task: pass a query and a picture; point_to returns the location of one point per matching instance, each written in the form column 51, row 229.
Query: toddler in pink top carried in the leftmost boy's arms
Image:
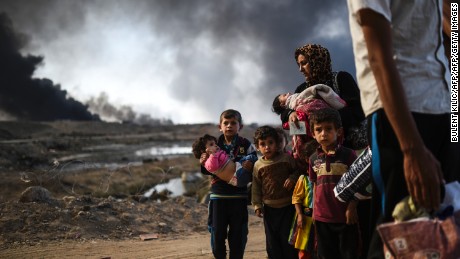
column 220, row 164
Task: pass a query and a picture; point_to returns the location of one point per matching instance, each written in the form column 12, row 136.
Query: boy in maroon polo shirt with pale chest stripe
column 336, row 225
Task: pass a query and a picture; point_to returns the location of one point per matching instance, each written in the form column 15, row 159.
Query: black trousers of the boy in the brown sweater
column 277, row 223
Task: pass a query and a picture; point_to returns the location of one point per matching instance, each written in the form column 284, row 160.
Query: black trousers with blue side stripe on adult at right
column 435, row 132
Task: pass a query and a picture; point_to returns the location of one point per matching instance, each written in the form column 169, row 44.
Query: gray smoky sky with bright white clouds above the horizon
column 184, row 60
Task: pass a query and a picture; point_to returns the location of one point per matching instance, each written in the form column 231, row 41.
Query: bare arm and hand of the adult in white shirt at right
column 421, row 169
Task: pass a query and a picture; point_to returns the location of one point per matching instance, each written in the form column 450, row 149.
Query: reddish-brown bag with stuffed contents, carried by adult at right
column 425, row 237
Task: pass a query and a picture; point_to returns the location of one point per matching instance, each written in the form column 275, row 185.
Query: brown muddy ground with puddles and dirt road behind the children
column 94, row 176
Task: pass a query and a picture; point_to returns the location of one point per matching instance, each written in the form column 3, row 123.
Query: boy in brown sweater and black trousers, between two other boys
column 274, row 176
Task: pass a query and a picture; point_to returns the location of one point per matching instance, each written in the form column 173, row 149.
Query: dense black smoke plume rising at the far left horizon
column 25, row 97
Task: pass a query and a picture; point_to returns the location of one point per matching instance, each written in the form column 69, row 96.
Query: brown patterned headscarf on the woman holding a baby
column 320, row 63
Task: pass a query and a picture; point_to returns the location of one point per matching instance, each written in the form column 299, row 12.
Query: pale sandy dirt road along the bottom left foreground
column 195, row 245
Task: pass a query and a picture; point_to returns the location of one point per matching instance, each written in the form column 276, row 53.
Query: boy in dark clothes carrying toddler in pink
column 228, row 210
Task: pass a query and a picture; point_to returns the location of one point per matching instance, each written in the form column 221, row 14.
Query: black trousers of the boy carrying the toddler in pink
column 228, row 219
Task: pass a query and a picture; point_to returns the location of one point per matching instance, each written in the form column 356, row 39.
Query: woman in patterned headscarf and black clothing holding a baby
column 315, row 64
